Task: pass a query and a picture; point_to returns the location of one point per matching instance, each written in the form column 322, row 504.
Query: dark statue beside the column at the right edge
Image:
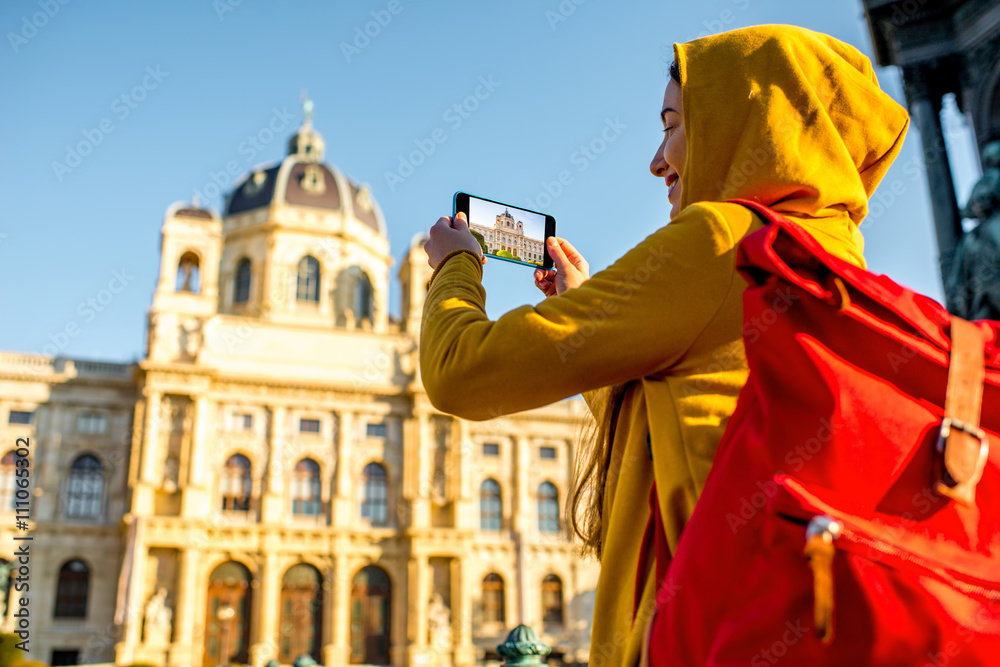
column 973, row 288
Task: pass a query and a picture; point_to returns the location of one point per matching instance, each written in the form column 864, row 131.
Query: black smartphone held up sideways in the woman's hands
column 510, row 233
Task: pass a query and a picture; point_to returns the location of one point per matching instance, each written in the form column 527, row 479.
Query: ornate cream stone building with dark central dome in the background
column 270, row 481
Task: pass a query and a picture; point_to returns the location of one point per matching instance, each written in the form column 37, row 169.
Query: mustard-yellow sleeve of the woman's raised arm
column 633, row 319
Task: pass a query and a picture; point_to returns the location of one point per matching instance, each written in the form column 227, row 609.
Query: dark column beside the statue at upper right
column 925, row 107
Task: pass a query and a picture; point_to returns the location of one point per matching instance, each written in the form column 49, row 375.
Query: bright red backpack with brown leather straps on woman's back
column 852, row 514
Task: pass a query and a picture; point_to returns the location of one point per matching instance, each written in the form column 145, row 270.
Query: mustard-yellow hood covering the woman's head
column 789, row 117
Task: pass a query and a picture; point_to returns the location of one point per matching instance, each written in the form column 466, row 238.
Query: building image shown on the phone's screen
column 503, row 235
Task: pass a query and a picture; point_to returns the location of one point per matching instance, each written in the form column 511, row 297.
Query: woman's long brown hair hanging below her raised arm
column 593, row 457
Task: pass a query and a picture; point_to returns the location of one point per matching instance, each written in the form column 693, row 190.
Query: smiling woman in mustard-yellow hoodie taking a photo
column 791, row 118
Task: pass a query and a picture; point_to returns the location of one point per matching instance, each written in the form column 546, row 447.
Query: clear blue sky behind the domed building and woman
column 212, row 73
